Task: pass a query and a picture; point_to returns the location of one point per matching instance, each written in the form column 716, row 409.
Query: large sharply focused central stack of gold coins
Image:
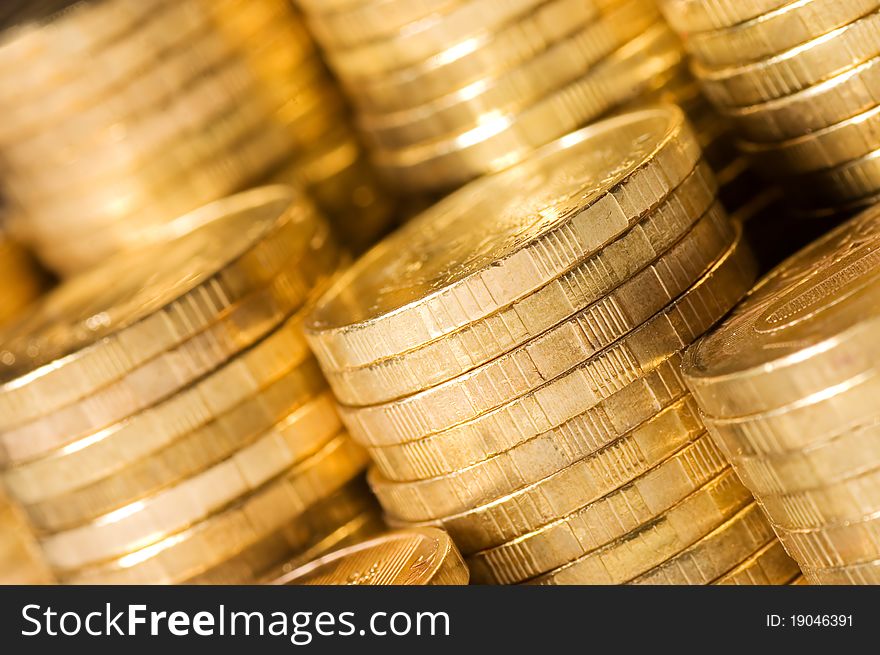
column 510, row 360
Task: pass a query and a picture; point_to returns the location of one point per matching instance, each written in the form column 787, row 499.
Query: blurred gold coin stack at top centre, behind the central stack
column 448, row 90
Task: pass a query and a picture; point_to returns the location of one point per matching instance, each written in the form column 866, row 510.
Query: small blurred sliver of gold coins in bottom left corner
column 20, row 559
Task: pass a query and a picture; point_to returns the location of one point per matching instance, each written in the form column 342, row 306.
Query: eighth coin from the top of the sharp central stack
column 654, row 543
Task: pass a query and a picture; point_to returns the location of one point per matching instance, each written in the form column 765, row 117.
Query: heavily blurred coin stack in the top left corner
column 121, row 115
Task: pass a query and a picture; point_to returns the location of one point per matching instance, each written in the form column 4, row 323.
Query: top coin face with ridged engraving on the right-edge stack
column 812, row 298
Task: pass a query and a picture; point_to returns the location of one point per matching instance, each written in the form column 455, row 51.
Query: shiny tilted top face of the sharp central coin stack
column 479, row 226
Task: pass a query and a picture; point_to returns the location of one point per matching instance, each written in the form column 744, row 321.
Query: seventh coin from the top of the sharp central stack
column 611, row 517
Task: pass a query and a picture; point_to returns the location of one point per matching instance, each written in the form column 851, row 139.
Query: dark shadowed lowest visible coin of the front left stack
column 342, row 519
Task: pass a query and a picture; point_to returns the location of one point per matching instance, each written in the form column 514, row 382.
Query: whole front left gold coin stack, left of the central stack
column 161, row 417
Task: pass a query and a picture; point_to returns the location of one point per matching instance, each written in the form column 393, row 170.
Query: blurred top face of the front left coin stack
column 87, row 308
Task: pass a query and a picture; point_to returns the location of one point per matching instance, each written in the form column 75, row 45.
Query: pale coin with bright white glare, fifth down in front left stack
column 172, row 510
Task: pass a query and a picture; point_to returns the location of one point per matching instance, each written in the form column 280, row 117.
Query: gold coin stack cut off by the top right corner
column 799, row 79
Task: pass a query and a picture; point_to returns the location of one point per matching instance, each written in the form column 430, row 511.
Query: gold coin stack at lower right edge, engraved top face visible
column 788, row 386
